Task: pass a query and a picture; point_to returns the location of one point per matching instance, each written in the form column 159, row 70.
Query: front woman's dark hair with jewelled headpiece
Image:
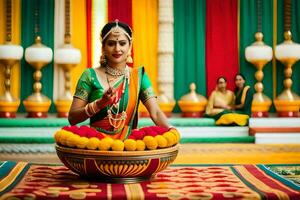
column 108, row 28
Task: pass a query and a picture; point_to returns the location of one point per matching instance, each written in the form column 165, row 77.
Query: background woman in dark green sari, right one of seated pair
column 243, row 96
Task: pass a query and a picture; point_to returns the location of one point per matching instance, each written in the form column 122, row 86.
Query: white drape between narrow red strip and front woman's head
column 99, row 19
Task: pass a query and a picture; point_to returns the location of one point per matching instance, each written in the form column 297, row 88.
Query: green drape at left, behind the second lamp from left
column 46, row 26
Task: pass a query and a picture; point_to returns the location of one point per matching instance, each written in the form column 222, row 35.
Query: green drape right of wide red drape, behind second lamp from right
column 248, row 27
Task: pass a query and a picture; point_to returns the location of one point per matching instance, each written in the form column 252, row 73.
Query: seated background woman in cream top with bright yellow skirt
column 220, row 104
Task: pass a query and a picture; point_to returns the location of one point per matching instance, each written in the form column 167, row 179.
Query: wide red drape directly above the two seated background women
column 221, row 42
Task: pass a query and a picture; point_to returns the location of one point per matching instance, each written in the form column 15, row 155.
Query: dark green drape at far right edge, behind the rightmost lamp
column 295, row 29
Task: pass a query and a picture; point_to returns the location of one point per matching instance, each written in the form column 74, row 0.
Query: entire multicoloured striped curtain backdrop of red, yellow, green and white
column 210, row 38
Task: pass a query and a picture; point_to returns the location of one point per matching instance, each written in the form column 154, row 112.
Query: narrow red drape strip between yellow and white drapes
column 89, row 32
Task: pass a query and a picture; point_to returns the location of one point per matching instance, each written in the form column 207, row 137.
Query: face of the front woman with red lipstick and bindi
column 116, row 49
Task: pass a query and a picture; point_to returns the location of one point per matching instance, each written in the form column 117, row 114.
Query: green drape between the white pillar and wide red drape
column 189, row 46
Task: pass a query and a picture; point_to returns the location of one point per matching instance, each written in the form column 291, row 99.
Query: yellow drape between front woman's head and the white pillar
column 145, row 36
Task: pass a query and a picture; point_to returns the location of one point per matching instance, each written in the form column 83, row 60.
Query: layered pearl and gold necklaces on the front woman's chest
column 115, row 119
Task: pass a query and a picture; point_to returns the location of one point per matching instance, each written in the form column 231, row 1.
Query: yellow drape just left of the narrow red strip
column 79, row 38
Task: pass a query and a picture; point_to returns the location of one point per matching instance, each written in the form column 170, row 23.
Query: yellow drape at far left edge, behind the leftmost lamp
column 16, row 38
